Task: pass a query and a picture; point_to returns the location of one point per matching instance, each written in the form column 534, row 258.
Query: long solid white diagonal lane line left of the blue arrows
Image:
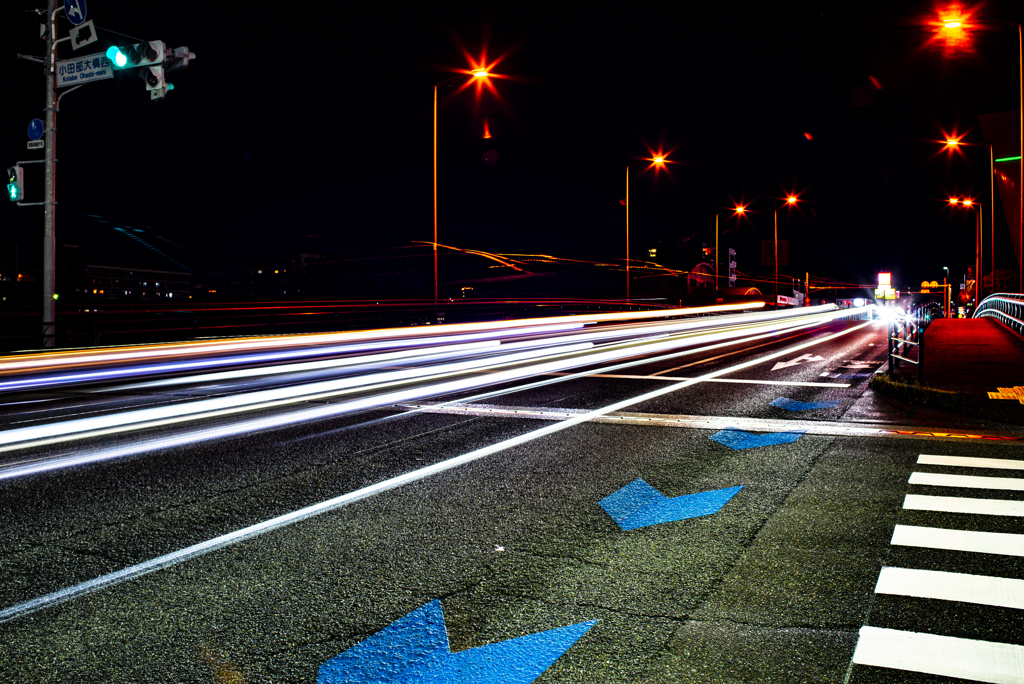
column 203, row 548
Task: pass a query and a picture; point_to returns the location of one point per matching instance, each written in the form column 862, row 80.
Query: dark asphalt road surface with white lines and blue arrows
column 846, row 540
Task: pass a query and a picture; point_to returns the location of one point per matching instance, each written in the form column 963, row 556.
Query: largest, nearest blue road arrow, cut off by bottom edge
column 415, row 650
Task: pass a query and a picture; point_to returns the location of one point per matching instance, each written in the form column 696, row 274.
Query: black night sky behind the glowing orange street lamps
column 310, row 126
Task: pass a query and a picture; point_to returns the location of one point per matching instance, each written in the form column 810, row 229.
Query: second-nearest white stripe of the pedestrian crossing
column 978, row 589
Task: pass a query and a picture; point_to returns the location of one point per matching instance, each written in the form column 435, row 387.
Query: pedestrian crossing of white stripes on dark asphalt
column 927, row 604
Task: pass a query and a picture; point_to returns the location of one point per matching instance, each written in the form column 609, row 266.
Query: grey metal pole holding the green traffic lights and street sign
column 50, row 189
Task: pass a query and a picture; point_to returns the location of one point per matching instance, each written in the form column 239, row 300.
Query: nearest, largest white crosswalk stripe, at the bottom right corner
column 947, row 657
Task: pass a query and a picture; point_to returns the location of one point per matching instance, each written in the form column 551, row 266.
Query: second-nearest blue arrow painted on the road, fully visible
column 641, row 505
